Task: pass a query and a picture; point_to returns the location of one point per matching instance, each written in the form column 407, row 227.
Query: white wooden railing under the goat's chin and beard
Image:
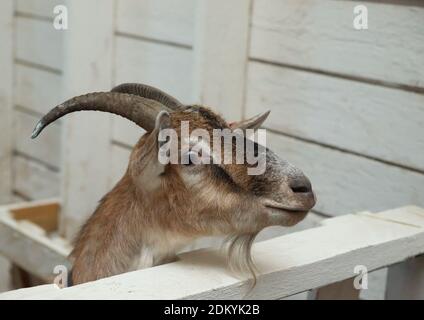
column 325, row 259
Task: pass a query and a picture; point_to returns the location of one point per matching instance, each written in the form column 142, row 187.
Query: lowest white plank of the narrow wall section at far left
column 34, row 180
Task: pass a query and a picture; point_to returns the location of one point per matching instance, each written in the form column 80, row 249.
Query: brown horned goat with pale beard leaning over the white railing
column 156, row 209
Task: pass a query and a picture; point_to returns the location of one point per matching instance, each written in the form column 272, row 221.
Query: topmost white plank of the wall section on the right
column 320, row 35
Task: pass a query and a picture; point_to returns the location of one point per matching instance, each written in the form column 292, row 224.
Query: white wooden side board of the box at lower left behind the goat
column 28, row 246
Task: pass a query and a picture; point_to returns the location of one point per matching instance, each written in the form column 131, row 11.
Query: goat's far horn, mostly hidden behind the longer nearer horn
column 149, row 92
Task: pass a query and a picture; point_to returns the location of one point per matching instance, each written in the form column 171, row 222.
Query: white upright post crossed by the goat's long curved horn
column 86, row 136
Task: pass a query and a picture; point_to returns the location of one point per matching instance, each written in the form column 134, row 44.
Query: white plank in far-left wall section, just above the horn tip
column 35, row 89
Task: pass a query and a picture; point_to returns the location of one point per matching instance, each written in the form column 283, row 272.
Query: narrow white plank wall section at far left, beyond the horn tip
column 37, row 87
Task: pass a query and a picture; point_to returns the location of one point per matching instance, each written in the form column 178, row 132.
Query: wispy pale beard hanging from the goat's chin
column 239, row 255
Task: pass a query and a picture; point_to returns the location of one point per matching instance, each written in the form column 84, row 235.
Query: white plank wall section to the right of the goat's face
column 347, row 105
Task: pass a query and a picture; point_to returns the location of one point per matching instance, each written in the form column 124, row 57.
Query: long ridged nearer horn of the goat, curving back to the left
column 140, row 110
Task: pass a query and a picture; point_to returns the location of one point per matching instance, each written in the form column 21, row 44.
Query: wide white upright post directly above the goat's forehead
column 221, row 43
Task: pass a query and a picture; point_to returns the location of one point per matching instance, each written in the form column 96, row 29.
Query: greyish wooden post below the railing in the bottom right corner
column 405, row 280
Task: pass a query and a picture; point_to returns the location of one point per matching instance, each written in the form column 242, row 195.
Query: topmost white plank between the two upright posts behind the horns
column 166, row 20
